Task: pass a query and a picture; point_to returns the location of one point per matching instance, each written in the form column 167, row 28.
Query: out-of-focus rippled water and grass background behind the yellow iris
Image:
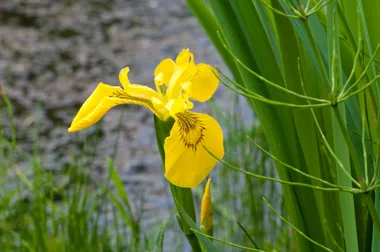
column 56, row 187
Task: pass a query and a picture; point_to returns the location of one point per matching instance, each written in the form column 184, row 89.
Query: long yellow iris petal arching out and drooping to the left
column 100, row 101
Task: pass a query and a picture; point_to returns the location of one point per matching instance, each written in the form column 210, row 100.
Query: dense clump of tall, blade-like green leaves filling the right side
column 310, row 72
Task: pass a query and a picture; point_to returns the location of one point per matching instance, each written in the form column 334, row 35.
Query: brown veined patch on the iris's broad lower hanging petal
column 191, row 129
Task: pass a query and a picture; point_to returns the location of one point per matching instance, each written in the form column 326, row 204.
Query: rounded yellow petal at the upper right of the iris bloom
column 204, row 83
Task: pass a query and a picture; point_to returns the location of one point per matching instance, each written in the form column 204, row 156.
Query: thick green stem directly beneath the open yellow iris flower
column 182, row 196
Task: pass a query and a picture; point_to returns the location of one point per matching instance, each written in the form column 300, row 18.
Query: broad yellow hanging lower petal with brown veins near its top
column 187, row 163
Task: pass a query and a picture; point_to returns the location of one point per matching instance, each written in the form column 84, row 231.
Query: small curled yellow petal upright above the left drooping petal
column 135, row 90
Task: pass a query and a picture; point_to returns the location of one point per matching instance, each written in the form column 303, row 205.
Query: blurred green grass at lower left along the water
column 47, row 210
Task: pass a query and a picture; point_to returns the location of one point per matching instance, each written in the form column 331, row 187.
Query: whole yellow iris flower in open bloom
column 187, row 162
